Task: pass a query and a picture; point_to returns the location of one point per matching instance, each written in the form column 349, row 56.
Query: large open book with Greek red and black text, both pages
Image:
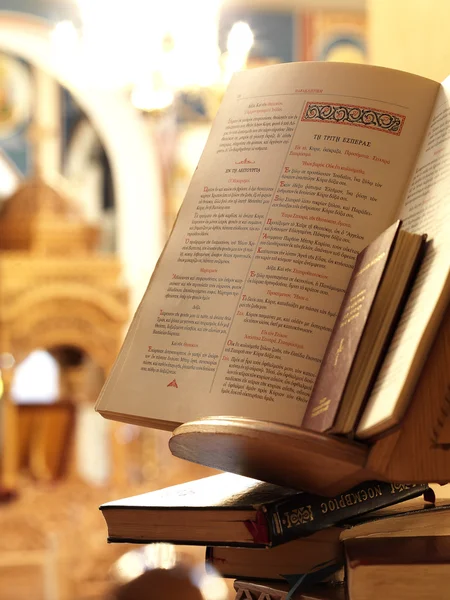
column 305, row 165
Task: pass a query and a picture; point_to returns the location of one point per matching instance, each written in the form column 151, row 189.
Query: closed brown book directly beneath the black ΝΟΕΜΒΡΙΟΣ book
column 298, row 556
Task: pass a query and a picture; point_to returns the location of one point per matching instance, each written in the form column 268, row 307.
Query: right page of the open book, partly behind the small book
column 426, row 209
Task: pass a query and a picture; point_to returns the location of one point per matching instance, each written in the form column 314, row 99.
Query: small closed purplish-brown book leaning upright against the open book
column 382, row 276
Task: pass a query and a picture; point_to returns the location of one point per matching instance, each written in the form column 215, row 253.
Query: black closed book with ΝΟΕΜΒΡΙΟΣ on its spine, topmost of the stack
column 232, row 510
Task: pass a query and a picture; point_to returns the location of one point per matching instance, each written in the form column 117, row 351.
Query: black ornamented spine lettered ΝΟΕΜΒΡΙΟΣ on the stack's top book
column 305, row 514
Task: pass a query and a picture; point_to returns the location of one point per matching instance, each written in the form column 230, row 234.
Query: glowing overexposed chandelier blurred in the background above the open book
column 153, row 50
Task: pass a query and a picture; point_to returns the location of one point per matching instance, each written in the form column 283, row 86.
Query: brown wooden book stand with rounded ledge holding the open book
column 416, row 452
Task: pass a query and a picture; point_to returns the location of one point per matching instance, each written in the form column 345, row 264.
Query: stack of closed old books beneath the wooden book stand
column 270, row 537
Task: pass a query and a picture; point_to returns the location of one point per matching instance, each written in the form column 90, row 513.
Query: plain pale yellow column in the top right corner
column 410, row 35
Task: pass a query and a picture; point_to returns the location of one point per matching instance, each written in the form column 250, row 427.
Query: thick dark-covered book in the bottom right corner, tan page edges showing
column 408, row 567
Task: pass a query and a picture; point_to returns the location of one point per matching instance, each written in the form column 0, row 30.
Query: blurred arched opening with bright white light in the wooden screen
column 59, row 434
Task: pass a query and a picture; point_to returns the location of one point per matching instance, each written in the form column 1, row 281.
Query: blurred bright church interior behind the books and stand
column 105, row 106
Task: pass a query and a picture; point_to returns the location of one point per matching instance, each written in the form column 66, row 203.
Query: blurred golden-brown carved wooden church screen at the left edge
column 56, row 292
